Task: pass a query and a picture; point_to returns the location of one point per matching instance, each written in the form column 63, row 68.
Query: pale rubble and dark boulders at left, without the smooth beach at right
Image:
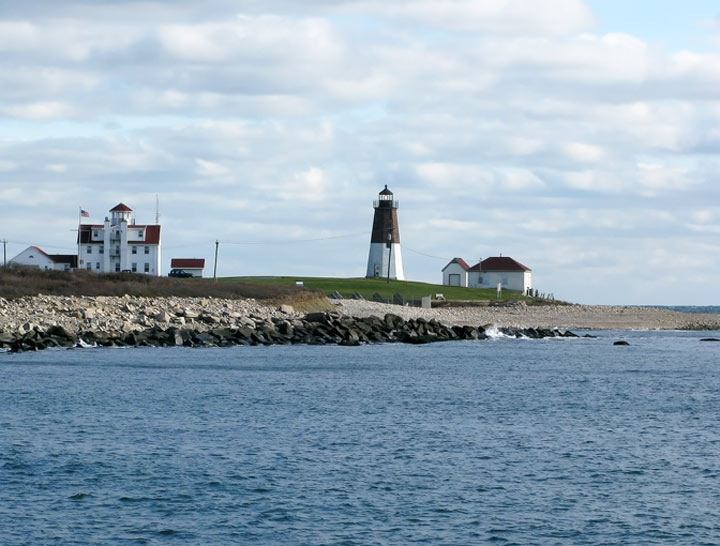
column 47, row 322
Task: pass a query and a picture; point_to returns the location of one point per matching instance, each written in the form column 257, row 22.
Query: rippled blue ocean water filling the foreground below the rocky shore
column 558, row 441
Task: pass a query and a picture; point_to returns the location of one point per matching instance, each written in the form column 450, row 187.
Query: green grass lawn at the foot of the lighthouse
column 367, row 287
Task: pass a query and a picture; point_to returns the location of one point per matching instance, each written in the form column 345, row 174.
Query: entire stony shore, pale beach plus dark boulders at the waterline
column 40, row 322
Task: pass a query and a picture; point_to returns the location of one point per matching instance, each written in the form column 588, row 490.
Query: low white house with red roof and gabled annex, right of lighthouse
column 488, row 273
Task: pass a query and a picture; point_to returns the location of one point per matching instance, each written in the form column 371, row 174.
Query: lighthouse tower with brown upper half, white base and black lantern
column 385, row 258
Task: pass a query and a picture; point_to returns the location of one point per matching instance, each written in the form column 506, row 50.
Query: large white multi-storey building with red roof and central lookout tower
column 119, row 244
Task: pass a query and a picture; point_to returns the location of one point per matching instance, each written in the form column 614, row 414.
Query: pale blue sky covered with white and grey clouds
column 579, row 137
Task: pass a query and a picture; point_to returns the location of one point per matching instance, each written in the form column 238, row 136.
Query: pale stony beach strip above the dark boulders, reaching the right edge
column 112, row 314
